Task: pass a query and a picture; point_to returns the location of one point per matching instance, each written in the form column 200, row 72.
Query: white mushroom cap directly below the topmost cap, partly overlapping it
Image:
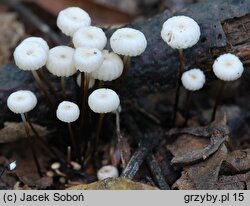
column 90, row 36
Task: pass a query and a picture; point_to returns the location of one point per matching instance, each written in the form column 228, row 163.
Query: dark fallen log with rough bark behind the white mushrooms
column 225, row 26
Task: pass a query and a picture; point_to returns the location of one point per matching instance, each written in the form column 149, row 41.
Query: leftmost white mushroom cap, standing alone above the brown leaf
column 21, row 101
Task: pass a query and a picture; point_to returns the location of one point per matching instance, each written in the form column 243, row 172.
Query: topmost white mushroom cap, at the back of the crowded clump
column 71, row 19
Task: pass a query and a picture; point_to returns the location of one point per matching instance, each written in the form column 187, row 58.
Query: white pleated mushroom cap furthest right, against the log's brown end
column 228, row 67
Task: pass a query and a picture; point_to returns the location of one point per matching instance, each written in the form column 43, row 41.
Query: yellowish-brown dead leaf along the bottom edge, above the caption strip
column 114, row 184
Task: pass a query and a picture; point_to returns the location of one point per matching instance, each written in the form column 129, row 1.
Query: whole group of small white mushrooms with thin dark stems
column 90, row 61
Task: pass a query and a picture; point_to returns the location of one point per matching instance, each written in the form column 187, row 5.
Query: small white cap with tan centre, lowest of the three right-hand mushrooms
column 193, row 80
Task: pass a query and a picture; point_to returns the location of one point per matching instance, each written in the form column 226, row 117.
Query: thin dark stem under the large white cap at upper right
column 177, row 94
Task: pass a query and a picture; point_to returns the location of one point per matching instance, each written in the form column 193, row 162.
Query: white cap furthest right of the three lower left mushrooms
column 103, row 100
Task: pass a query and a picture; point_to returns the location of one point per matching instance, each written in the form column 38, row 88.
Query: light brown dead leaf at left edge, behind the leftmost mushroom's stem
column 14, row 131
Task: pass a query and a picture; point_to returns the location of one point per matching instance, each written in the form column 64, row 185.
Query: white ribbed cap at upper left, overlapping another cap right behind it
column 29, row 56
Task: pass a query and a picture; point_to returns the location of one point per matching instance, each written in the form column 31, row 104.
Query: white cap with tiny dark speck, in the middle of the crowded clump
column 87, row 59
